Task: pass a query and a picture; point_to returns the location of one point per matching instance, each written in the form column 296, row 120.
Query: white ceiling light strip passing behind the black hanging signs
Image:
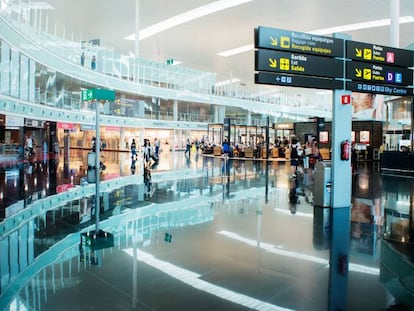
column 326, row 31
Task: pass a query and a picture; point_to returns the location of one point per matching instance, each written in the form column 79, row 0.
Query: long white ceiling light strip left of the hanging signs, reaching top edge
column 186, row 17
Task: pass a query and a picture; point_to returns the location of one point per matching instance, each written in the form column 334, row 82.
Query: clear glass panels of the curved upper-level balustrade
column 129, row 68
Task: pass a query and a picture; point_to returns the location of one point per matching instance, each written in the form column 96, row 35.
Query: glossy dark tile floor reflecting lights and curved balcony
column 238, row 235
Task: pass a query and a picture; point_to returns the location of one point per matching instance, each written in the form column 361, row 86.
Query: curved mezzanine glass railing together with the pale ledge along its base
column 154, row 82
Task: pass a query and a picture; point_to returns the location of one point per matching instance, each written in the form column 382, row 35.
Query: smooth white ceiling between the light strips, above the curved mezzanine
column 197, row 42
